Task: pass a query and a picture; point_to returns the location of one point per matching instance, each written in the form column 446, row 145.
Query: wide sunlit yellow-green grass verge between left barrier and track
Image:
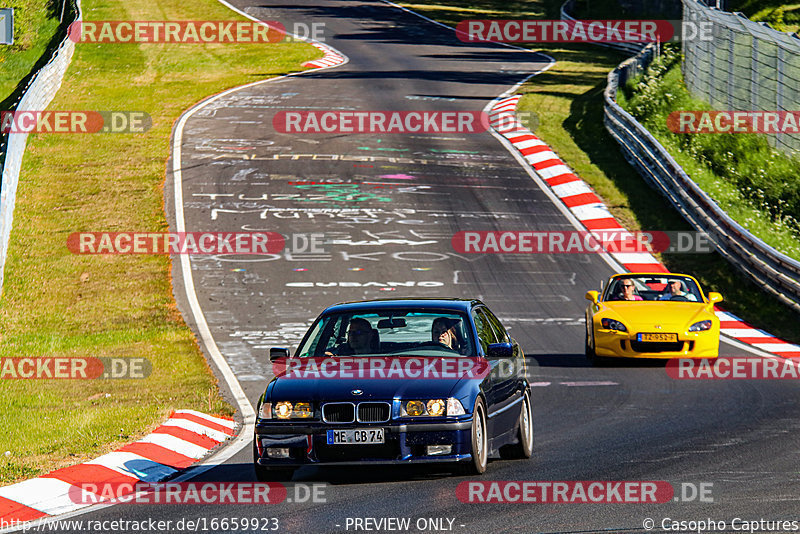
column 55, row 303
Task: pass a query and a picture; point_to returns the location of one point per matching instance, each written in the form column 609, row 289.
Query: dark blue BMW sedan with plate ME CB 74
column 394, row 382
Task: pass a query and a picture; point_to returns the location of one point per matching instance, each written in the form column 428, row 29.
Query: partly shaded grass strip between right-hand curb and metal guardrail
column 568, row 99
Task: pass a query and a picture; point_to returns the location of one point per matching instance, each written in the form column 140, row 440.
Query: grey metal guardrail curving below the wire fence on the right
column 774, row 271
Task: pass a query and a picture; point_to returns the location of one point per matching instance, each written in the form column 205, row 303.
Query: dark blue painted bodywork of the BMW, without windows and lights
column 408, row 435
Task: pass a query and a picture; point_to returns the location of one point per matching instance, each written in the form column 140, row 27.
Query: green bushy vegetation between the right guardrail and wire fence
column 759, row 187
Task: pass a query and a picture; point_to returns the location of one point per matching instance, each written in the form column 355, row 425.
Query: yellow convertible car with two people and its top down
column 651, row 315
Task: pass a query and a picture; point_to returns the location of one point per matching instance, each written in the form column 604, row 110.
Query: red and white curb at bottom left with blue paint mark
column 183, row 439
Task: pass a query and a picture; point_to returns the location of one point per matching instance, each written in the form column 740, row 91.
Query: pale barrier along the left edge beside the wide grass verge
column 37, row 96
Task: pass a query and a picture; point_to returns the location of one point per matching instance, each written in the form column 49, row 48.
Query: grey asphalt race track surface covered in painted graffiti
column 388, row 206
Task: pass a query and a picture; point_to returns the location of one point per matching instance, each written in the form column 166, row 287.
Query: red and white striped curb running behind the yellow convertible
column 590, row 210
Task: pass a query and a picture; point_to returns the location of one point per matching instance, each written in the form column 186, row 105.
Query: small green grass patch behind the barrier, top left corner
column 35, row 25
